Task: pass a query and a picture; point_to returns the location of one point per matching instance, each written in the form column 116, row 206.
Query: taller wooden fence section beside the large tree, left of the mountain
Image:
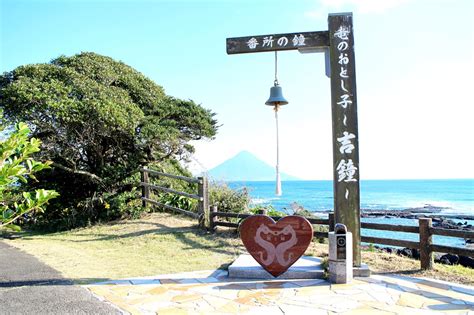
column 201, row 196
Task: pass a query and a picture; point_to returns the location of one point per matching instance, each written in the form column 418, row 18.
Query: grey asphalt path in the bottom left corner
column 27, row 286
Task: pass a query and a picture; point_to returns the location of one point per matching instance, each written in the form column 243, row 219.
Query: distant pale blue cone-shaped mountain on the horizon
column 245, row 166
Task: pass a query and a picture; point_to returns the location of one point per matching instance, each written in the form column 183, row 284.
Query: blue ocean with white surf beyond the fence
column 453, row 196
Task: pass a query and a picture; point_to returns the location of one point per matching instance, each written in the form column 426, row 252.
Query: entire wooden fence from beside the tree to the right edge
column 208, row 218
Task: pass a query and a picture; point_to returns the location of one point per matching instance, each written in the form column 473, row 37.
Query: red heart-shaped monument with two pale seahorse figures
column 276, row 245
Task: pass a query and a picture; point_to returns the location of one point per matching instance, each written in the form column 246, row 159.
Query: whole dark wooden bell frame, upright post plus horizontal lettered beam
column 340, row 42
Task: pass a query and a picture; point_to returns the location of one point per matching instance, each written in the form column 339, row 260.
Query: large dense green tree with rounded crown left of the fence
column 99, row 120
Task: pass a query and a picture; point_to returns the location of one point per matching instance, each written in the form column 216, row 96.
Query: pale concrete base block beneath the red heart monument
column 304, row 268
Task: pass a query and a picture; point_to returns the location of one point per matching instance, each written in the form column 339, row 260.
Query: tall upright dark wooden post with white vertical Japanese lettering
column 344, row 127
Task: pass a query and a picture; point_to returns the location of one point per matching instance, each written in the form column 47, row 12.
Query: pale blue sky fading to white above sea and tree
column 414, row 62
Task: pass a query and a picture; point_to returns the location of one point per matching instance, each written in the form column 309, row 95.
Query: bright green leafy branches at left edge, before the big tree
column 16, row 167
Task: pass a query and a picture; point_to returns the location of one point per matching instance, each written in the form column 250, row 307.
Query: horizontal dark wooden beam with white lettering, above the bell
column 272, row 42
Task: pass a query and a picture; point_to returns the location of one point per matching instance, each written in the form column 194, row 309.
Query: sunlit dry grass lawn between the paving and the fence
column 162, row 243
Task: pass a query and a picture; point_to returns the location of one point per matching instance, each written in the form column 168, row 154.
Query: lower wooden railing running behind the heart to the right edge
column 424, row 229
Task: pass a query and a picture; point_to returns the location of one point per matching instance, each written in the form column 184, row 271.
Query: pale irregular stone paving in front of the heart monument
column 212, row 292
